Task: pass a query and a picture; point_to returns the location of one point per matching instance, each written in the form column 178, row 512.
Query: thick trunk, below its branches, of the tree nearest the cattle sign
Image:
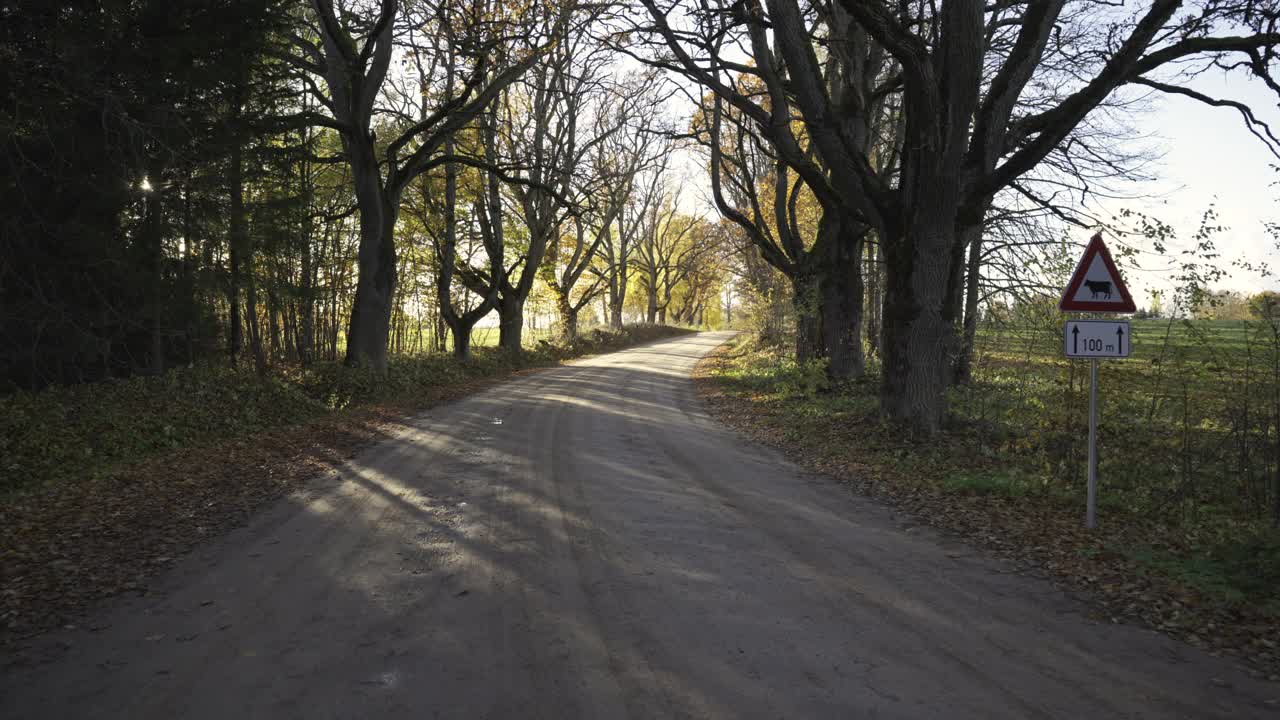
column 918, row 338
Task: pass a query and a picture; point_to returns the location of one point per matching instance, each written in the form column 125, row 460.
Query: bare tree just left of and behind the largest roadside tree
column 705, row 44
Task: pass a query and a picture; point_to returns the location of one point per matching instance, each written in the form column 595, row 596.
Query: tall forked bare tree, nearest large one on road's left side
column 351, row 48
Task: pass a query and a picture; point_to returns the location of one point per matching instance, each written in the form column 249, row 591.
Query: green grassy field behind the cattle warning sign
column 1188, row 423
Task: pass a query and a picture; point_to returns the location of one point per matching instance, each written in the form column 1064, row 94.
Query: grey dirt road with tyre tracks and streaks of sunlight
column 586, row 543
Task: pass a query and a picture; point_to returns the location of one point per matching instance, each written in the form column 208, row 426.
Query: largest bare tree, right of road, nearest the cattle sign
column 967, row 134
